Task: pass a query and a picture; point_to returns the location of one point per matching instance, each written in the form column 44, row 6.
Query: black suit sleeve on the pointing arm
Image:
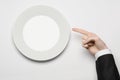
column 106, row 68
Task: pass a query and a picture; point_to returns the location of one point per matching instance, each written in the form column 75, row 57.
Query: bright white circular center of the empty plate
column 41, row 33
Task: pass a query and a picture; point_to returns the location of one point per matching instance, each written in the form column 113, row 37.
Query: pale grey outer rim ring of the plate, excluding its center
column 64, row 29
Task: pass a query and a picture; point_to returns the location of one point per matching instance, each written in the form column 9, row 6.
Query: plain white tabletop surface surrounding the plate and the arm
column 99, row 16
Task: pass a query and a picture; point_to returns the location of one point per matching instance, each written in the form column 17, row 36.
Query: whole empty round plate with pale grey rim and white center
column 41, row 33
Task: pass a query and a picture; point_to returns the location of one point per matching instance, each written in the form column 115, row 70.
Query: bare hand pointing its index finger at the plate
column 91, row 41
